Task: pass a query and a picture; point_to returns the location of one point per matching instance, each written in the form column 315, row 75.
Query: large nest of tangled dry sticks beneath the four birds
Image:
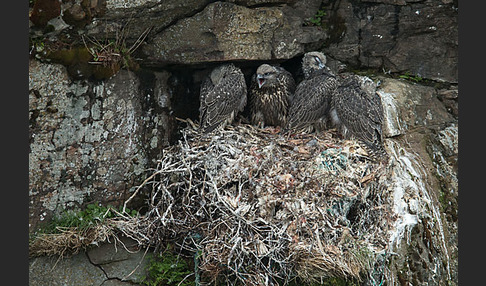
column 261, row 207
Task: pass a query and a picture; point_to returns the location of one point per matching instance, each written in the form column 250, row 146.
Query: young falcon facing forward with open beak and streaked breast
column 269, row 104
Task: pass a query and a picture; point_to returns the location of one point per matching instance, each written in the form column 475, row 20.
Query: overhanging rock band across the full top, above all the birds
column 395, row 36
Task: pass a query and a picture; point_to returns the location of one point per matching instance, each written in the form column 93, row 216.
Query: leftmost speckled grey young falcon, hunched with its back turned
column 222, row 96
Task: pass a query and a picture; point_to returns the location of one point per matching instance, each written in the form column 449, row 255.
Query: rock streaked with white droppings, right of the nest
column 422, row 140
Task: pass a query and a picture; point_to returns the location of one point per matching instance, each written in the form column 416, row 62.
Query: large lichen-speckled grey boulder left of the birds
column 91, row 142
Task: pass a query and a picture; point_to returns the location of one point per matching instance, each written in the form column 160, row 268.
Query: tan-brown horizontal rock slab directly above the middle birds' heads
column 229, row 32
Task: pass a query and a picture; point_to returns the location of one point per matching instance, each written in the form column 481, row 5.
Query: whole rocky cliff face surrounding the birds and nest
column 94, row 138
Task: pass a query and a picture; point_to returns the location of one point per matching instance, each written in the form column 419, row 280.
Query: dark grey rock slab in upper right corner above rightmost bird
column 418, row 38
